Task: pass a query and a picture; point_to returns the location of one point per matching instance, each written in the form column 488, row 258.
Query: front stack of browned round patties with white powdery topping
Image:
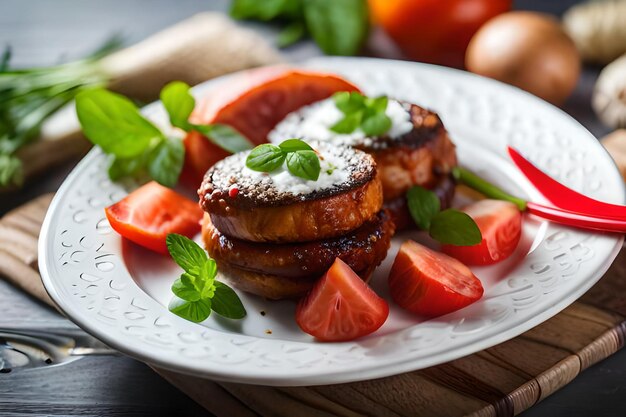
column 275, row 234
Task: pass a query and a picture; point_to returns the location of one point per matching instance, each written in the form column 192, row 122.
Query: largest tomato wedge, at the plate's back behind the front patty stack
column 253, row 102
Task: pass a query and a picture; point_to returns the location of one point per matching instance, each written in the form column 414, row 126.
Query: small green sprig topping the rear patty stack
column 362, row 112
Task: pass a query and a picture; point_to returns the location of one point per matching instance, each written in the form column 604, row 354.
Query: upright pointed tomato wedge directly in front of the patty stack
column 341, row 307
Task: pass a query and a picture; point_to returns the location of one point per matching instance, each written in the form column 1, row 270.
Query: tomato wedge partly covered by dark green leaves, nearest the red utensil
column 500, row 223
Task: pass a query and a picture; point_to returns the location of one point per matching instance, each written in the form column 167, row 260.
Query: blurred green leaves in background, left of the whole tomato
column 339, row 27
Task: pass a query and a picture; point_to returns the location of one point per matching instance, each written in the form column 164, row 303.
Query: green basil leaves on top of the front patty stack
column 302, row 161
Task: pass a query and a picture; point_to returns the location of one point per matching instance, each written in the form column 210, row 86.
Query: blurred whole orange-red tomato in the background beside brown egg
column 435, row 31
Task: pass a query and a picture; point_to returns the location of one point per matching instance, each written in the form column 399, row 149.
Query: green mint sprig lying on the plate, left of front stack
column 197, row 292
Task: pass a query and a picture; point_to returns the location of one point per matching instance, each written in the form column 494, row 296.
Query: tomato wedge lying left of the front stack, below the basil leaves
column 147, row 215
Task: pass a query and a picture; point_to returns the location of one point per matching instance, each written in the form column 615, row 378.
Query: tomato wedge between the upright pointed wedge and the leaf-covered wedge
column 430, row 283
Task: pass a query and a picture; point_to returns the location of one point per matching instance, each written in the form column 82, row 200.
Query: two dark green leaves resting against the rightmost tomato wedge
column 449, row 226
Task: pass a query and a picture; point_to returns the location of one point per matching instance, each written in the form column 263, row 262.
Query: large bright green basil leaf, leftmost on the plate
column 114, row 123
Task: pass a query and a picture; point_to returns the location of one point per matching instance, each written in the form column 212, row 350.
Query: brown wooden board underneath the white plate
column 500, row 381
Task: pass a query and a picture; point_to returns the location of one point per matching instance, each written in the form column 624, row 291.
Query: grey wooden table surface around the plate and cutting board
column 45, row 32
